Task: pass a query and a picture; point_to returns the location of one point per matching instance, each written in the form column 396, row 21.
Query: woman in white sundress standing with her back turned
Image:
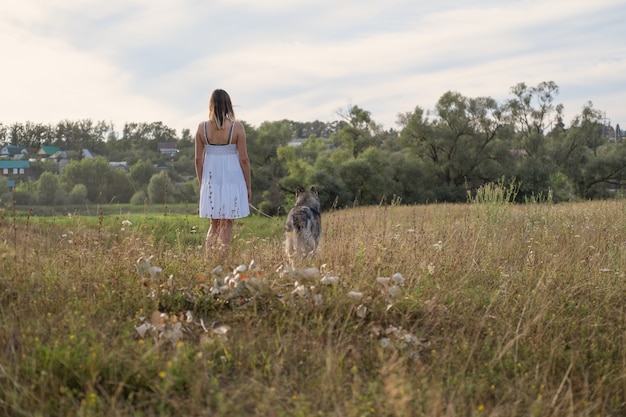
column 223, row 171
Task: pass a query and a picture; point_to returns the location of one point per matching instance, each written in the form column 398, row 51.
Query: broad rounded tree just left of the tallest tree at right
column 467, row 142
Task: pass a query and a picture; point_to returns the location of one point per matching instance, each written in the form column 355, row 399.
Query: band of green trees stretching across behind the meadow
column 437, row 155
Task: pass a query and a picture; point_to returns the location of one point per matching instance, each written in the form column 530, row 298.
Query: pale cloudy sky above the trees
column 141, row 61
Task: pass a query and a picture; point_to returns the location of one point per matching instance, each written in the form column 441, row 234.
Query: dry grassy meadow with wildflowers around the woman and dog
column 479, row 309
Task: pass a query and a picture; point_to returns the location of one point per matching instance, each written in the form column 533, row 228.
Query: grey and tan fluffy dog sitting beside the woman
column 303, row 227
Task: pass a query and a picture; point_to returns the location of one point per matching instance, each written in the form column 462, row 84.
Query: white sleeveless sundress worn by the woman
column 223, row 191
